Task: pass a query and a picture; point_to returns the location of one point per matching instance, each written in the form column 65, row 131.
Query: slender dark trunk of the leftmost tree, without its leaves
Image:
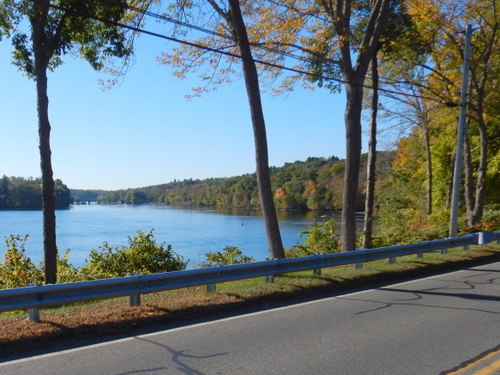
column 48, row 197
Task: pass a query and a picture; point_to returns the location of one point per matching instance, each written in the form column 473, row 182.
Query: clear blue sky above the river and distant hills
column 144, row 132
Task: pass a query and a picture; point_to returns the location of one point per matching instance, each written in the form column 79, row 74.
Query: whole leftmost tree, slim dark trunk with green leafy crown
column 57, row 27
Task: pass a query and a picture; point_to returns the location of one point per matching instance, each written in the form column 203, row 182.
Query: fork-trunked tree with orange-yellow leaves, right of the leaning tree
column 334, row 41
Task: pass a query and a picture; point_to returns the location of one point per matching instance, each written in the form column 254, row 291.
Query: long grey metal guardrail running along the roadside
column 35, row 297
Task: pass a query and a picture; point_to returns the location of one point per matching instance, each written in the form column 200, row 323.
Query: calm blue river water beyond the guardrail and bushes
column 191, row 232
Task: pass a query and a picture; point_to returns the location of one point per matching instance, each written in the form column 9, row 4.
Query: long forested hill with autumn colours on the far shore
column 314, row 184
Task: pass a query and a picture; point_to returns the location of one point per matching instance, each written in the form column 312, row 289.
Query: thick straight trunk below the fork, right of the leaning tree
column 352, row 116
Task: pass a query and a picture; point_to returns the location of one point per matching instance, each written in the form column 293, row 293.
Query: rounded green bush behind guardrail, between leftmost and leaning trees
column 143, row 255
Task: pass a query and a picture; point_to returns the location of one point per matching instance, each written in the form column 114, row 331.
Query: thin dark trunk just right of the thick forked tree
column 372, row 160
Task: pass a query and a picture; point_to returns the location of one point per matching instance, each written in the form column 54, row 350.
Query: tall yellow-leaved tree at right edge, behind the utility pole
column 448, row 19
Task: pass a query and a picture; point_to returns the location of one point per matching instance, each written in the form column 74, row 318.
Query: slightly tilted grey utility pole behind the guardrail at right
column 457, row 174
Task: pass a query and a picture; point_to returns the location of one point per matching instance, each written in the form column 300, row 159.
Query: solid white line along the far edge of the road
column 172, row 330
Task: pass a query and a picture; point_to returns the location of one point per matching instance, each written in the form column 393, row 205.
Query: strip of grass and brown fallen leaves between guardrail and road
column 115, row 316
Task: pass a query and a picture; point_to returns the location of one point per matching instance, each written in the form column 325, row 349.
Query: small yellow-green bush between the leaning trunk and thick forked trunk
column 320, row 239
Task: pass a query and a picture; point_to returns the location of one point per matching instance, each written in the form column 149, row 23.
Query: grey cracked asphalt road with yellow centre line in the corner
column 448, row 324
